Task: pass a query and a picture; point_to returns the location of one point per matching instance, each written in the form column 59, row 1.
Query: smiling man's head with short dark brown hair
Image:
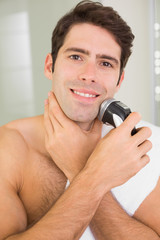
column 90, row 48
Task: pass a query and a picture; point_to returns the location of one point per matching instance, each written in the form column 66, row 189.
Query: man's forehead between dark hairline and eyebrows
column 87, row 38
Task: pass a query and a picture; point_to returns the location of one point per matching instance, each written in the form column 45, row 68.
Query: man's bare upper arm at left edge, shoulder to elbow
column 13, row 217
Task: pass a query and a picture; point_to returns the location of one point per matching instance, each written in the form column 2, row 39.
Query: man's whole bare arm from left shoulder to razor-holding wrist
column 67, row 219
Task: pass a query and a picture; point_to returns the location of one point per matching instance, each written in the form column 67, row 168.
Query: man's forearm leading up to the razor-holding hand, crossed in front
column 71, row 214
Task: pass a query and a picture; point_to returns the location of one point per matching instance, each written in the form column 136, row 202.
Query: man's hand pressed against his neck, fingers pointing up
column 68, row 145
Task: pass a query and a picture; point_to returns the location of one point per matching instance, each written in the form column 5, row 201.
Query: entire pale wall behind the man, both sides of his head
column 25, row 39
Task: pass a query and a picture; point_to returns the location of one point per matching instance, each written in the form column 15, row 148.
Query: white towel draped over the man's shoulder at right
column 131, row 194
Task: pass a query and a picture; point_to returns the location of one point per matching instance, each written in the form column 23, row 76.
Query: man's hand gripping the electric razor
column 119, row 156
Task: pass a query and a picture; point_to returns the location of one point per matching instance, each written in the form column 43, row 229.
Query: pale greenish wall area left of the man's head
column 25, row 39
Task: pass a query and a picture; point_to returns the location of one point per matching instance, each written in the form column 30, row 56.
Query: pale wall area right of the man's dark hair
column 137, row 88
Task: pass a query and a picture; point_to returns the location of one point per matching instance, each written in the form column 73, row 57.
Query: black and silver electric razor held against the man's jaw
column 114, row 112
